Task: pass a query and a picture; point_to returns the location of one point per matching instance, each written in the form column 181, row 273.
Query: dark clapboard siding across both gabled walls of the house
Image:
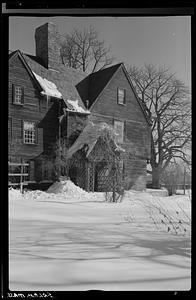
column 105, row 109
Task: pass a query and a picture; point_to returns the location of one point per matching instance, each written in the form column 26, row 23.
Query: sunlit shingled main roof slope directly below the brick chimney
column 65, row 79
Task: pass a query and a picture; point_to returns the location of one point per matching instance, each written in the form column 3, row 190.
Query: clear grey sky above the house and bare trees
column 133, row 40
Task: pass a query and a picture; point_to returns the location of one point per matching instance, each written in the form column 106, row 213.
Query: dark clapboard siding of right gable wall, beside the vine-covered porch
column 136, row 133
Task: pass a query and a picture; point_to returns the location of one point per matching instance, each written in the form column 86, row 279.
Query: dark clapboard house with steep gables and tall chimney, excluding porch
column 48, row 101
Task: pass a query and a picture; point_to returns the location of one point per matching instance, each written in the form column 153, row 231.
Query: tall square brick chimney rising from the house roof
column 47, row 42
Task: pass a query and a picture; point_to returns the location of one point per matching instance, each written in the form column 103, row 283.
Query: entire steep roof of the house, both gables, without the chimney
column 73, row 84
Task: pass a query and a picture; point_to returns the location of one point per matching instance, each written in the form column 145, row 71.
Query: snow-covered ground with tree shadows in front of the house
column 68, row 239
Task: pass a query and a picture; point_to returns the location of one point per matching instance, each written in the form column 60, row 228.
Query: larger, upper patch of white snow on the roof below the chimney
column 49, row 88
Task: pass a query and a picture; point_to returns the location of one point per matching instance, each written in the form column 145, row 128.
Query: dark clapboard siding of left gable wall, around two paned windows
column 34, row 109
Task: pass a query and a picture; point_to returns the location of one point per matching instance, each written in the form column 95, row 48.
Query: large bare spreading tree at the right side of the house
column 167, row 103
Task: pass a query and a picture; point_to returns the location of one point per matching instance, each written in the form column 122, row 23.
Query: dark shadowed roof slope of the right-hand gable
column 93, row 84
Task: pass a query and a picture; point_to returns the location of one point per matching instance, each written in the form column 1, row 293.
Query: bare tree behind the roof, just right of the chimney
column 83, row 50
